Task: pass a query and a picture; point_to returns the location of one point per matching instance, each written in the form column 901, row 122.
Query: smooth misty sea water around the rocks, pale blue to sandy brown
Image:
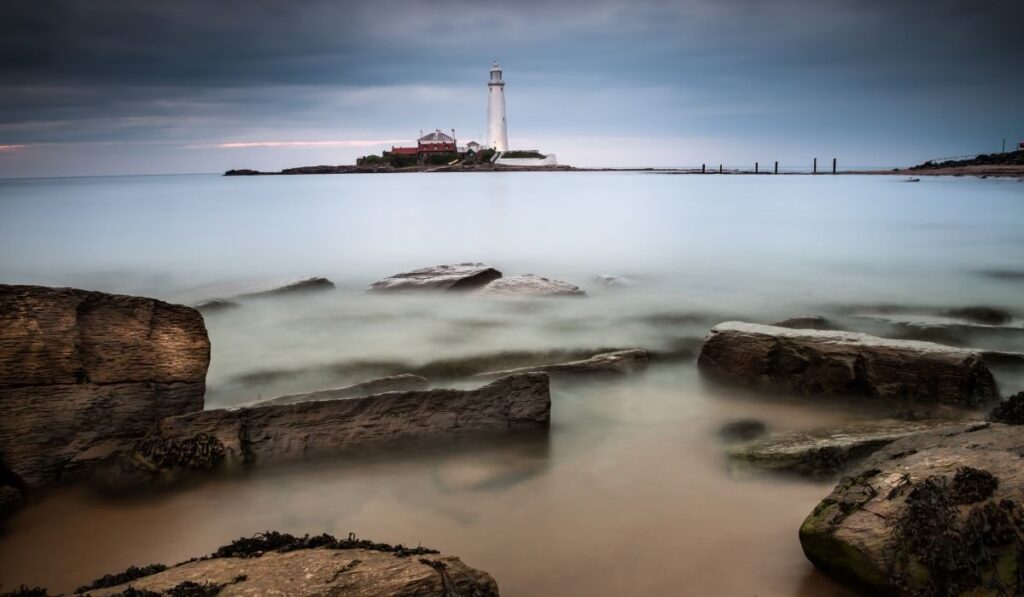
column 629, row 494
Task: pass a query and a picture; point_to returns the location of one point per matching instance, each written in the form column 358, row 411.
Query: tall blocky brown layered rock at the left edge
column 86, row 374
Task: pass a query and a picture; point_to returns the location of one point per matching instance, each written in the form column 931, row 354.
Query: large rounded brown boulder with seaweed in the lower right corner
column 937, row 514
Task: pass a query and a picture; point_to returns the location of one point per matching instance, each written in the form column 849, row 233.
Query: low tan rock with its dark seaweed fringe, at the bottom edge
column 281, row 565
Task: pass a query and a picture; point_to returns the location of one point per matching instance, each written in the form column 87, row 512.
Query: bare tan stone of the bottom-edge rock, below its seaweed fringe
column 359, row 573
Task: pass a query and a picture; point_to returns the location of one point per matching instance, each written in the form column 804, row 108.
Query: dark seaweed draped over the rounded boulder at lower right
column 958, row 558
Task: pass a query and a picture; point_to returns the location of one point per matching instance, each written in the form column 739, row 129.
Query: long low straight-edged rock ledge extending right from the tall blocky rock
column 277, row 433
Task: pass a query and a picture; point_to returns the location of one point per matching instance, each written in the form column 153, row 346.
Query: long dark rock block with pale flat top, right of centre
column 813, row 362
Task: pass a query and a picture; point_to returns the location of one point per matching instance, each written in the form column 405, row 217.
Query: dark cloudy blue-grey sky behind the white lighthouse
column 98, row 88
